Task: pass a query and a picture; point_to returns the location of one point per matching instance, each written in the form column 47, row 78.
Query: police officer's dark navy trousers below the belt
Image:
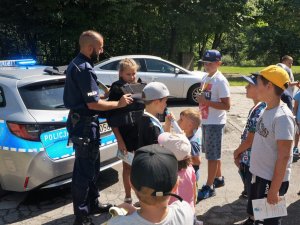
column 85, row 174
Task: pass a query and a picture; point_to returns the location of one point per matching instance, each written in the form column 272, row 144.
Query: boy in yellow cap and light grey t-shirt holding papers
column 271, row 159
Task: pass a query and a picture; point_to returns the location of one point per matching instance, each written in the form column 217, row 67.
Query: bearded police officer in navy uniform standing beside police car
column 81, row 96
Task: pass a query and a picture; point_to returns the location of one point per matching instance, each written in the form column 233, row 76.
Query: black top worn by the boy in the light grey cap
column 148, row 132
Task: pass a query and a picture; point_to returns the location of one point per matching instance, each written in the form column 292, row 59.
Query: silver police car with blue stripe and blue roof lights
column 34, row 148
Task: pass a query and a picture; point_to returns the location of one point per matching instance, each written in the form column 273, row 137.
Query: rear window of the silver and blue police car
column 44, row 96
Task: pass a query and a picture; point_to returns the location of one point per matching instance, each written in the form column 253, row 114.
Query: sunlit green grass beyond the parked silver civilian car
column 234, row 73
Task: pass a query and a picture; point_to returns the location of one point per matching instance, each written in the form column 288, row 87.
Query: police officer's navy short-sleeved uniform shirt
column 81, row 86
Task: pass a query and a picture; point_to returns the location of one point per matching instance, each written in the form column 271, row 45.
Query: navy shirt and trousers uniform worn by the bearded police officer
column 83, row 127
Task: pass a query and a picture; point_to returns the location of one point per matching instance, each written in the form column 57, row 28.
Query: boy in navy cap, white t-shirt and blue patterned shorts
column 213, row 103
